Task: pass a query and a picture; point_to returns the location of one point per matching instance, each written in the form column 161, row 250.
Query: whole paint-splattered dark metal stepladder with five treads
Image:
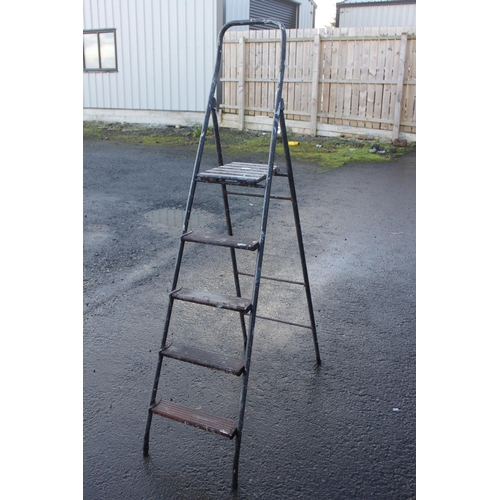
column 249, row 176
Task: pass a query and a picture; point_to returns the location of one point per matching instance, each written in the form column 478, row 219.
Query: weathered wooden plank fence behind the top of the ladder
column 351, row 81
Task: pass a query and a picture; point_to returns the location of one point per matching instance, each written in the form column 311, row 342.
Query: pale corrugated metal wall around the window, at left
column 165, row 50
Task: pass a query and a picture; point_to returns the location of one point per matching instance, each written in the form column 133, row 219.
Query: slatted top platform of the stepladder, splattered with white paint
column 244, row 174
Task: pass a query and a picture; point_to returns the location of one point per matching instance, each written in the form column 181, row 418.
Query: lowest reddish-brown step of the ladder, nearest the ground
column 197, row 418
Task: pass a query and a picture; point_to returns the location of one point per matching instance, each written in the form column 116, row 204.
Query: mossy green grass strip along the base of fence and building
column 333, row 152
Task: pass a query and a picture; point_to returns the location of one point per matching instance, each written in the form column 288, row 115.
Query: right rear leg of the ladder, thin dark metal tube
column 298, row 230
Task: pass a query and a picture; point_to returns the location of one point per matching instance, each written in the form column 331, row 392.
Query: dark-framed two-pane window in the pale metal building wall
column 99, row 50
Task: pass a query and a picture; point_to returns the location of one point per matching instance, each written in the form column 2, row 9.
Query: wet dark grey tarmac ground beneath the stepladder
column 344, row 430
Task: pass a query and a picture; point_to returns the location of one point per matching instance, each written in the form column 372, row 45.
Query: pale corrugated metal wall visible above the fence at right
column 378, row 15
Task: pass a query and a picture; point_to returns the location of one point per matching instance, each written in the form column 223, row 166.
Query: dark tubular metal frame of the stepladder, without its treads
column 278, row 120
